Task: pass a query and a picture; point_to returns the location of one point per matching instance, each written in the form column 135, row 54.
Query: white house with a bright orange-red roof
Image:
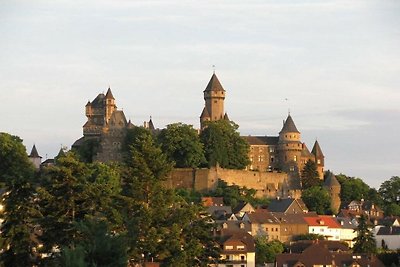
column 324, row 225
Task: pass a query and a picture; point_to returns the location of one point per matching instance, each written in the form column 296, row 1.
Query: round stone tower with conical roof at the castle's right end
column 289, row 147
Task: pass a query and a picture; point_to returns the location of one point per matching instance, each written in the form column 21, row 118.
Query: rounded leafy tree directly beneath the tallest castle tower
column 224, row 146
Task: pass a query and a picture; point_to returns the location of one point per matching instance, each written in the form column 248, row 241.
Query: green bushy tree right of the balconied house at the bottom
column 267, row 251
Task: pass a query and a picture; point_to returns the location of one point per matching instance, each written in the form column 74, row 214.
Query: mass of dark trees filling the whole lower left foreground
column 95, row 214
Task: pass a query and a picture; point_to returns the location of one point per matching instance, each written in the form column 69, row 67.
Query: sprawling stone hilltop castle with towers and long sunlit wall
column 276, row 161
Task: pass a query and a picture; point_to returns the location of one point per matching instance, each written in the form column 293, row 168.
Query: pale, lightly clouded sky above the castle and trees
column 334, row 64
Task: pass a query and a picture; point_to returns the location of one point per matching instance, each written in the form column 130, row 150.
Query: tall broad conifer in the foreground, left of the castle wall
column 160, row 225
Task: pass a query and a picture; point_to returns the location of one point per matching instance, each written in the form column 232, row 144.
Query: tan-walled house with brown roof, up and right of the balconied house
column 263, row 223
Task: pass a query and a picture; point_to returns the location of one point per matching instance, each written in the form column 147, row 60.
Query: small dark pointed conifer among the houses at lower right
column 365, row 241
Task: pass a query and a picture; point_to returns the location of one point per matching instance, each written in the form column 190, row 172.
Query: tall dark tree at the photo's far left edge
column 16, row 176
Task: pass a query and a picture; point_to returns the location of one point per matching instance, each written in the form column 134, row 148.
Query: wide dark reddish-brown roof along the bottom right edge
column 319, row 254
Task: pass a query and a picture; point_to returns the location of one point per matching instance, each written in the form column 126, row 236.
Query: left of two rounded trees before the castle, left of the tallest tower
column 181, row 143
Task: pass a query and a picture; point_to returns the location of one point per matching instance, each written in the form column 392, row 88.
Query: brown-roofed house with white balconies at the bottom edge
column 238, row 250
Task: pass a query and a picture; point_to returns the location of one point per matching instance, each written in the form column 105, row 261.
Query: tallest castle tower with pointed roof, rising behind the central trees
column 214, row 96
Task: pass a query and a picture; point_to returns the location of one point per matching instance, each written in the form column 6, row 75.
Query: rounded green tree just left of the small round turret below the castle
column 317, row 199
